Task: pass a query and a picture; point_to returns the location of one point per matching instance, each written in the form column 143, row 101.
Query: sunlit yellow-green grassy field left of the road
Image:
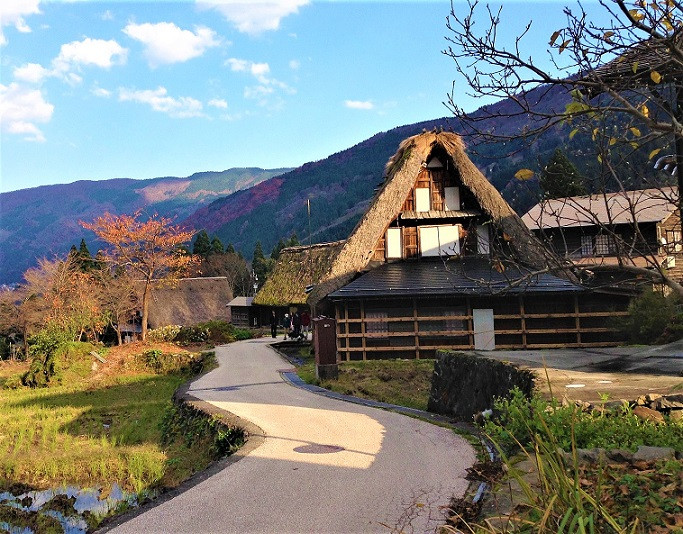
column 101, row 425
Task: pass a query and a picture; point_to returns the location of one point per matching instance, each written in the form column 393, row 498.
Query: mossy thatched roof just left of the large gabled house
column 296, row 268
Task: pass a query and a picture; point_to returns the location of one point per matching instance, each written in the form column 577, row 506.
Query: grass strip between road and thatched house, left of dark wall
column 402, row 382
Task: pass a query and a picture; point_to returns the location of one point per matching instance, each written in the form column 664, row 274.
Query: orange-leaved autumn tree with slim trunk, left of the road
column 150, row 250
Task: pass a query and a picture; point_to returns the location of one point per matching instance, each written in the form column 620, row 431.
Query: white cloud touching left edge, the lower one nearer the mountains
column 21, row 108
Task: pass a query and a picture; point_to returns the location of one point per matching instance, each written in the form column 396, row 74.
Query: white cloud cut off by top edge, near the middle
column 254, row 16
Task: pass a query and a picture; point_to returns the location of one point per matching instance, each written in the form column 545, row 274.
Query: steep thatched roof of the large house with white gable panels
column 400, row 175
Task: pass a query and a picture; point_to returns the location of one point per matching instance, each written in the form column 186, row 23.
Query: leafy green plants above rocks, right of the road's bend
column 518, row 420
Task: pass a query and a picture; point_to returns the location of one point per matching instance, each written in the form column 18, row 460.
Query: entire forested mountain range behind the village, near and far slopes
column 270, row 205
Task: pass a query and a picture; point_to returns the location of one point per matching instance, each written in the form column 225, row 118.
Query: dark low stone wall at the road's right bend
column 464, row 384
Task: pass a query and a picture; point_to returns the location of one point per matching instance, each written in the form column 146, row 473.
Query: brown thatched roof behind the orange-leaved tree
column 189, row 301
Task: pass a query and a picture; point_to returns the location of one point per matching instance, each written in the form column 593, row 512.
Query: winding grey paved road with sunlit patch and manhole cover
column 325, row 465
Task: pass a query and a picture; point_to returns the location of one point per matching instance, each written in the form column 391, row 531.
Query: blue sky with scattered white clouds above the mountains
column 95, row 90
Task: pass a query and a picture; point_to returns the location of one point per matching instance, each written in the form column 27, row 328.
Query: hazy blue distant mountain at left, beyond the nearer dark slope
column 43, row 221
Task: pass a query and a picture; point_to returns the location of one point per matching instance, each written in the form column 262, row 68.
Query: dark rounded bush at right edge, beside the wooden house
column 649, row 316
